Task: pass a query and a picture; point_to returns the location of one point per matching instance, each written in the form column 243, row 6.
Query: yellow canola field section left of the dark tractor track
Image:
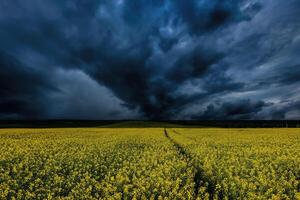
column 91, row 164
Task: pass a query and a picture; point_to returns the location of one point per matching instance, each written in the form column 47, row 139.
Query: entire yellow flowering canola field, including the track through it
column 149, row 163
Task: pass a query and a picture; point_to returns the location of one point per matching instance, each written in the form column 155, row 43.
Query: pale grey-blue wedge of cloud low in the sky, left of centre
column 81, row 97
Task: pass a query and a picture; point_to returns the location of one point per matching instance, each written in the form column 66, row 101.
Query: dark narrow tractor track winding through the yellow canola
column 198, row 176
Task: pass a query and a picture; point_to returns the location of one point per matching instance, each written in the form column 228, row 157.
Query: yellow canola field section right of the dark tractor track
column 244, row 163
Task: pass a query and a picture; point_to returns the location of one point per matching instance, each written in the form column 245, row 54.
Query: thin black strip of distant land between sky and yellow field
column 145, row 124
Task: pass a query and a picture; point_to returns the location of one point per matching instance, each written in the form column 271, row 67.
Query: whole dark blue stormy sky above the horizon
column 149, row 59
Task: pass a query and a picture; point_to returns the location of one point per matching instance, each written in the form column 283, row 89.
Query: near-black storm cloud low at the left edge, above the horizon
column 22, row 90
